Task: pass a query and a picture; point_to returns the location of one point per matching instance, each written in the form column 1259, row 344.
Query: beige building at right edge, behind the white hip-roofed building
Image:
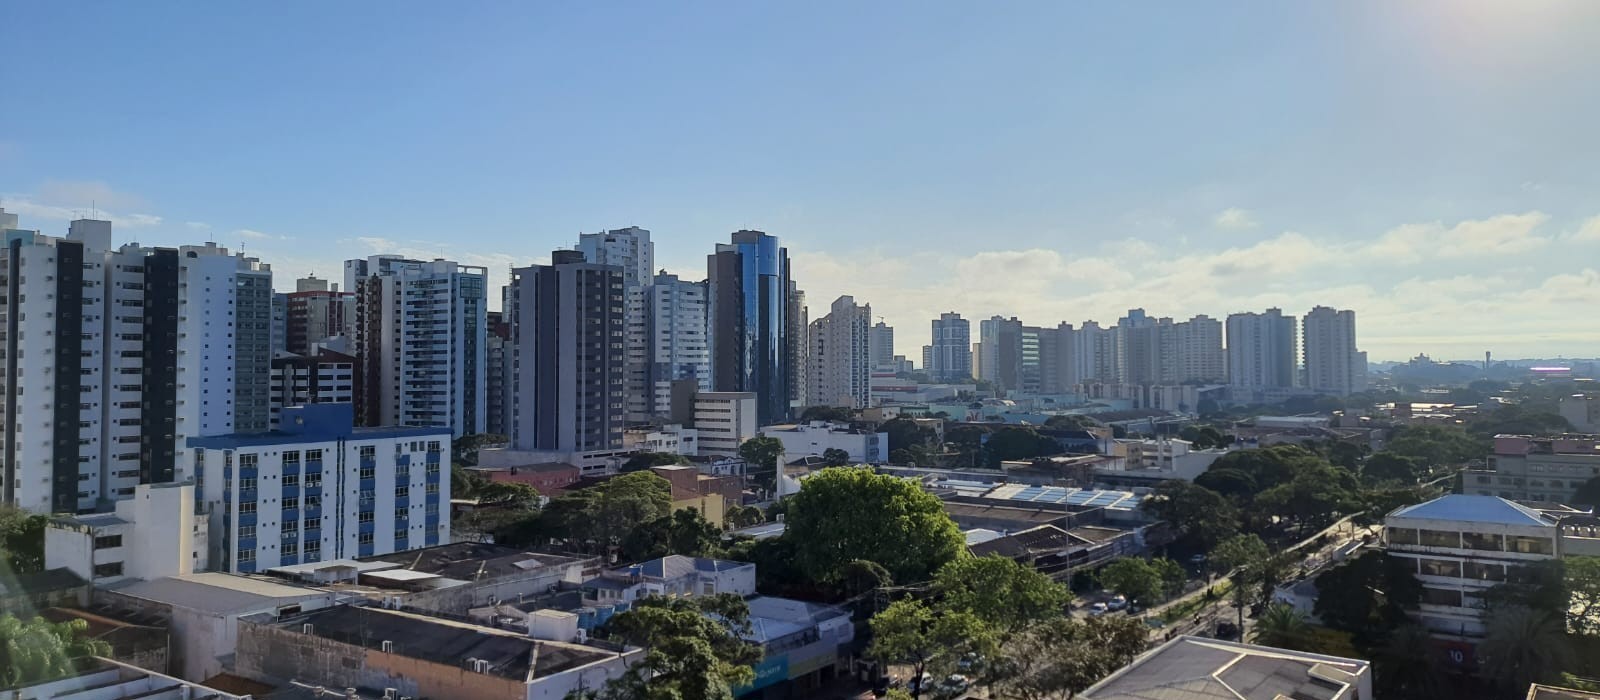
column 1527, row 467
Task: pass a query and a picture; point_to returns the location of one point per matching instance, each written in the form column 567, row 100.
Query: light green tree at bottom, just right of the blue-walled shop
column 916, row 635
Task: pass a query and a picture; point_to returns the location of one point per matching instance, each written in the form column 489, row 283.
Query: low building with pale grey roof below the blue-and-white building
column 202, row 613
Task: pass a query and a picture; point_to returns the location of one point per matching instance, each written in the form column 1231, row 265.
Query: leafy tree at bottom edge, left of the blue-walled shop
column 694, row 648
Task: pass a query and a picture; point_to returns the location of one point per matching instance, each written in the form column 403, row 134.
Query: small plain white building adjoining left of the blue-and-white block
column 150, row 536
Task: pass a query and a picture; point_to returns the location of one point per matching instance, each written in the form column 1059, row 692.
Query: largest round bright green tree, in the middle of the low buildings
column 846, row 514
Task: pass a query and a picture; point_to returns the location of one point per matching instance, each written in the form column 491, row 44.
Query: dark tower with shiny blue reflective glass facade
column 751, row 332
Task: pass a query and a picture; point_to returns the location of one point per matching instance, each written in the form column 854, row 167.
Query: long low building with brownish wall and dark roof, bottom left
column 417, row 656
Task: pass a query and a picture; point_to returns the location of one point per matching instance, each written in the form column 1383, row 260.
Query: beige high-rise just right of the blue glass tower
column 841, row 364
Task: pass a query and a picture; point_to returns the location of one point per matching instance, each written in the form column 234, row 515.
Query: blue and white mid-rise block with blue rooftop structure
column 318, row 488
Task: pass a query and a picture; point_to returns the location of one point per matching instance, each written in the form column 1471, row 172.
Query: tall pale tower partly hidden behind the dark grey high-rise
column 633, row 252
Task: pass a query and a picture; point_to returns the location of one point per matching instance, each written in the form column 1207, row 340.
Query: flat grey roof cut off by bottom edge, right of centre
column 1198, row 669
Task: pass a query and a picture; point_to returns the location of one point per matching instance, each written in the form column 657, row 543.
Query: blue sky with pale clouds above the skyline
column 1428, row 164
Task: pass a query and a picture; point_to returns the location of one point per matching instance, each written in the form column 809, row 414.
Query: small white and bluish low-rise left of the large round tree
column 673, row 578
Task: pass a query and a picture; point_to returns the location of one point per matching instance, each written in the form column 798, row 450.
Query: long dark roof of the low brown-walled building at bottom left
column 446, row 642
